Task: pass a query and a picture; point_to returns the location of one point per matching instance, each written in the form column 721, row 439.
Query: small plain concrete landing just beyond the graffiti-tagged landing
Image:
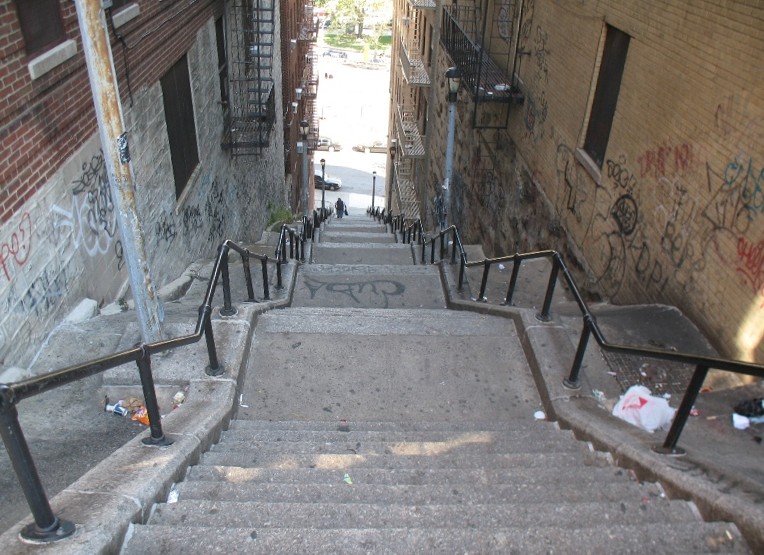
column 378, row 254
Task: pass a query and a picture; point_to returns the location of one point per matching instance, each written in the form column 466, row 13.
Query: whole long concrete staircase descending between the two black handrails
column 372, row 419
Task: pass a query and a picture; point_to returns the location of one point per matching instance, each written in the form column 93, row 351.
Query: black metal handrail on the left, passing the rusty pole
column 47, row 527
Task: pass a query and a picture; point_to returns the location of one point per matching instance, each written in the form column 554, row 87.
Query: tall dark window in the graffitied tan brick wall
column 606, row 94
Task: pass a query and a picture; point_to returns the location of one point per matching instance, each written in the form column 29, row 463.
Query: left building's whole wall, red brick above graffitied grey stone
column 59, row 240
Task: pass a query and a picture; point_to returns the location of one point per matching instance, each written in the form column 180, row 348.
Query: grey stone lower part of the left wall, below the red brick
column 63, row 244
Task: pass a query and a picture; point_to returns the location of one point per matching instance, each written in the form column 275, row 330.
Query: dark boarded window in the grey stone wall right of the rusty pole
column 181, row 129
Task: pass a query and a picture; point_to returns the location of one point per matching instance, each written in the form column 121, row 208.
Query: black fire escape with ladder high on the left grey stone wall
column 251, row 111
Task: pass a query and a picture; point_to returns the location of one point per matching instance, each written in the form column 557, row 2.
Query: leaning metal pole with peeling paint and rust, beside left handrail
column 103, row 83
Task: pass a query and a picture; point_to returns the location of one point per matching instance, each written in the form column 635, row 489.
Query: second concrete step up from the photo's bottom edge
column 219, row 513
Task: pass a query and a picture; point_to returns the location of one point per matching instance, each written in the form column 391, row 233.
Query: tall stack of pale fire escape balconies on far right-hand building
column 416, row 73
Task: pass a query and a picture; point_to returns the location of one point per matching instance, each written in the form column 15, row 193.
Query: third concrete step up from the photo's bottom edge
column 461, row 492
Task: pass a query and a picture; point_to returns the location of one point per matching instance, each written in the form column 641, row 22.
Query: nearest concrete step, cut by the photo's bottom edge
column 667, row 538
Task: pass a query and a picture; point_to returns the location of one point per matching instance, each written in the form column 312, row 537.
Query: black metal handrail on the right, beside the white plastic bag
column 702, row 363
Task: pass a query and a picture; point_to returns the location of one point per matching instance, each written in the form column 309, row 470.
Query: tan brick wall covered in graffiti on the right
column 676, row 214
